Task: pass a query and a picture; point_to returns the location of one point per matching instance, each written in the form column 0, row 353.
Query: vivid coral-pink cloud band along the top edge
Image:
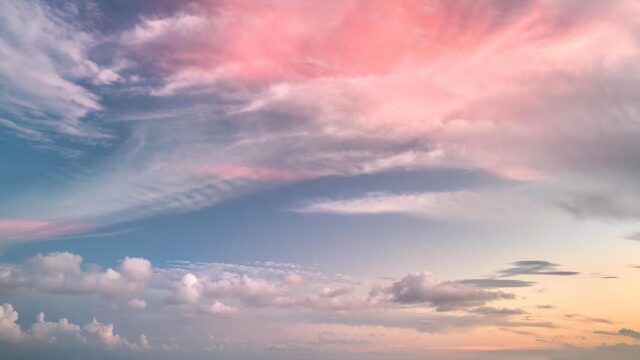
column 268, row 41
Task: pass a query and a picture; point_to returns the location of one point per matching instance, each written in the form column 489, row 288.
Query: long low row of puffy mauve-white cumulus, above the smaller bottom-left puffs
column 216, row 289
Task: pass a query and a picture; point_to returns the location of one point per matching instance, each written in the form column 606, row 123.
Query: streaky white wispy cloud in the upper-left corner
column 44, row 58
